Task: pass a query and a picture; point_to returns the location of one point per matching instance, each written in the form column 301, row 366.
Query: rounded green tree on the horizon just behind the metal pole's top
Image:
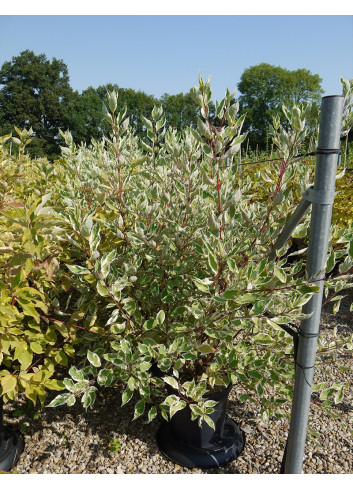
column 264, row 88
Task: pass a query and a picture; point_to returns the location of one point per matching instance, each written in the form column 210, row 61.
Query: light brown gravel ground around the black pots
column 104, row 440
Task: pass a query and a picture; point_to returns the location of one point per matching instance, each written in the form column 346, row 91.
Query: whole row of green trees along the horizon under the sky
column 35, row 92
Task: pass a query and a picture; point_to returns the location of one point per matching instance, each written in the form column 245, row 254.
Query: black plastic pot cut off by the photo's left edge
column 11, row 444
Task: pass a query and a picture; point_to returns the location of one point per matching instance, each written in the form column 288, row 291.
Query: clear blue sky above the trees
column 165, row 53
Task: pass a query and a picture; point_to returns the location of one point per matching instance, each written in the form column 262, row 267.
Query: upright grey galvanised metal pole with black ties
column 322, row 201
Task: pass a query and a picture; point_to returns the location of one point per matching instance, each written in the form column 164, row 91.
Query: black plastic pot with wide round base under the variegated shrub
column 185, row 443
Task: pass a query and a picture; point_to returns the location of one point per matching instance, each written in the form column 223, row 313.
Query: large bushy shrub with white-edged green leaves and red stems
column 169, row 262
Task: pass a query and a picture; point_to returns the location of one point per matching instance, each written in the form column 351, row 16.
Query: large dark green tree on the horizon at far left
column 36, row 93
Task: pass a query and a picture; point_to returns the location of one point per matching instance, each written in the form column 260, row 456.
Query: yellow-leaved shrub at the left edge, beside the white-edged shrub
column 31, row 343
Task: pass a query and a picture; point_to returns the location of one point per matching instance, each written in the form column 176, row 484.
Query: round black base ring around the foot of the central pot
column 227, row 449
